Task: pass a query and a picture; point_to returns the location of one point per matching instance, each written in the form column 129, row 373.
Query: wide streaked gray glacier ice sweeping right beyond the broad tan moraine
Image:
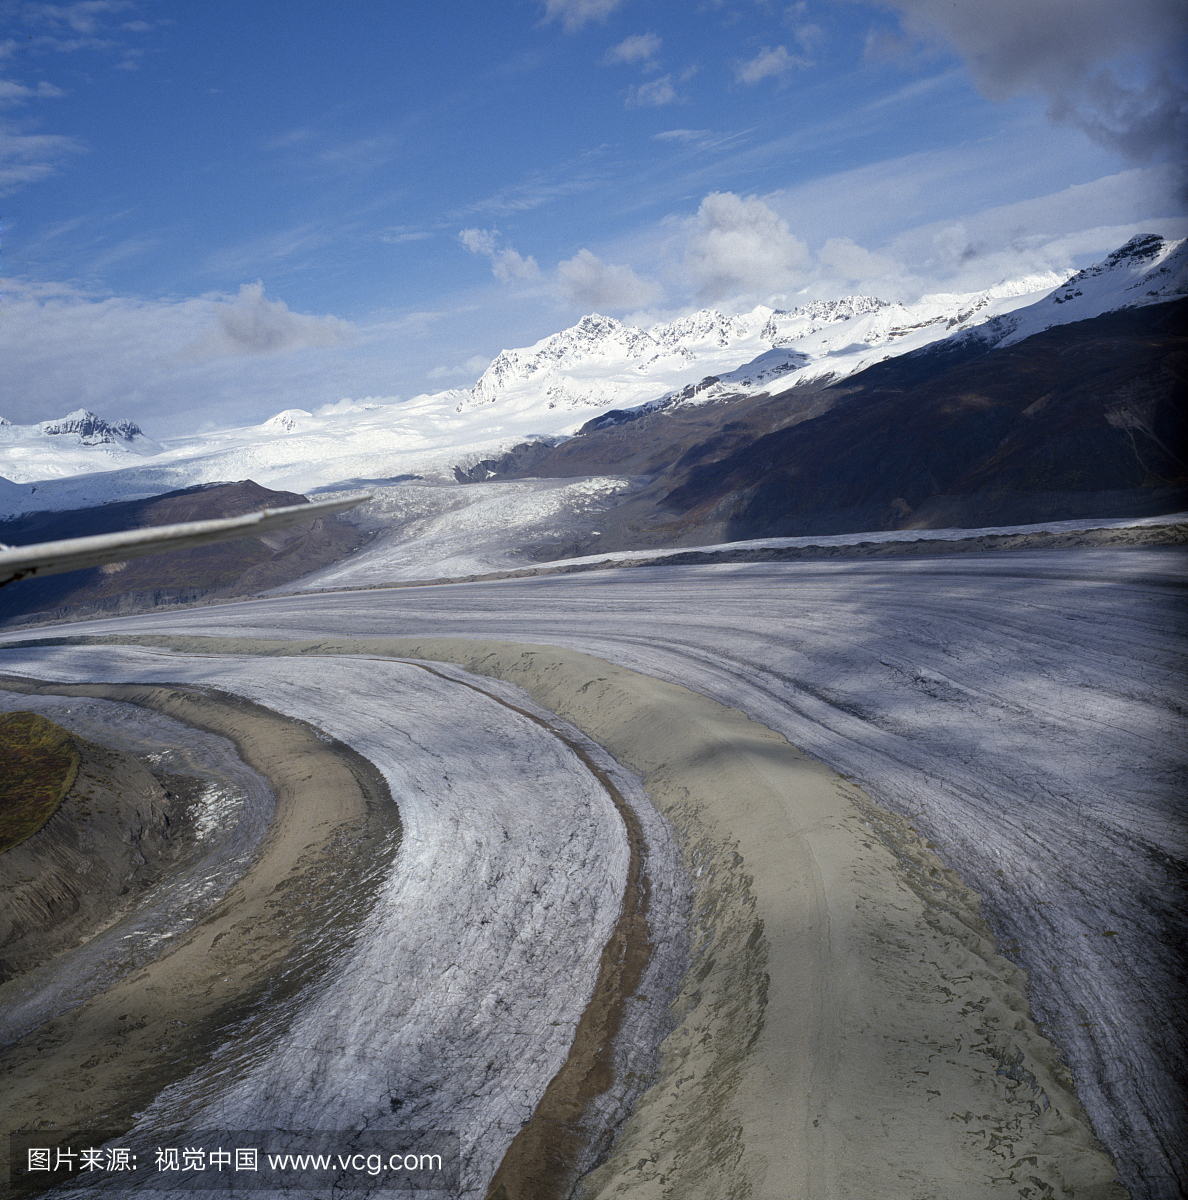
column 1025, row 711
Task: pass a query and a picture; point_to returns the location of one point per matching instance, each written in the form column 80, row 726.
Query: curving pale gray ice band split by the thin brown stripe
column 458, row 1003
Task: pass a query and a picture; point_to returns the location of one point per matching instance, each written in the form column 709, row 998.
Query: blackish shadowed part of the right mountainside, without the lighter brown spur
column 1083, row 421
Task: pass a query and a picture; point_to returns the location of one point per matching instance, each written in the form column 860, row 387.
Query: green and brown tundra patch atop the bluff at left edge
column 38, row 766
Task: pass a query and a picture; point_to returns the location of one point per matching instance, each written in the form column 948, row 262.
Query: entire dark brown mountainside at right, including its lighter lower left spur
column 1083, row 421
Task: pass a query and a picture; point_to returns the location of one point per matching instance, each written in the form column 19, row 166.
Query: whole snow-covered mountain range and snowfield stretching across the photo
column 554, row 388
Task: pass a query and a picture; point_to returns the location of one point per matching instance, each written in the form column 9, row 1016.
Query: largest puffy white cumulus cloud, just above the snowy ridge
column 742, row 248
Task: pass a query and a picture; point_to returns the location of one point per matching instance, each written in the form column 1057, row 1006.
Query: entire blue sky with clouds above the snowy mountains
column 214, row 212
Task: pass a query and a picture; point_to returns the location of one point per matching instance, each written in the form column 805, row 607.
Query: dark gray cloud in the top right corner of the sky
column 1114, row 70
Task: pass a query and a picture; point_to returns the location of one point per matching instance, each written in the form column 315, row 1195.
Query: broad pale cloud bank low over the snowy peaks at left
column 173, row 365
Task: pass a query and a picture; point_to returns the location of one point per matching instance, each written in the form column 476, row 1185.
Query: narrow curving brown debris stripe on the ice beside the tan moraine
column 562, row 1138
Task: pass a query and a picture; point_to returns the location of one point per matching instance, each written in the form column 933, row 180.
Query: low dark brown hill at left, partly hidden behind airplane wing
column 220, row 571
